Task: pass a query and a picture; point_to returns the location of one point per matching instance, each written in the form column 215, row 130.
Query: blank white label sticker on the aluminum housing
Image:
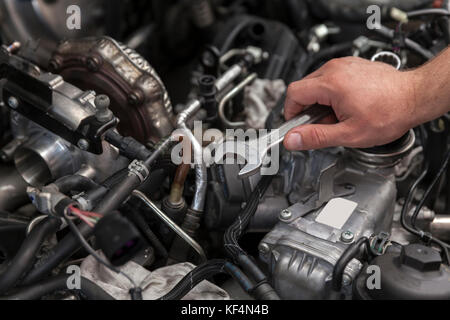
column 337, row 212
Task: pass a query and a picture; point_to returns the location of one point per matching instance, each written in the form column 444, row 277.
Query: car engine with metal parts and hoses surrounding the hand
column 112, row 166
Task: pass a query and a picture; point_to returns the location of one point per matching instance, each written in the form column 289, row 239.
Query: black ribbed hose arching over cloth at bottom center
column 204, row 272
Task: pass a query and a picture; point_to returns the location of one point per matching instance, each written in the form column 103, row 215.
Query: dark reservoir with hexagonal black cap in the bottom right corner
column 407, row 274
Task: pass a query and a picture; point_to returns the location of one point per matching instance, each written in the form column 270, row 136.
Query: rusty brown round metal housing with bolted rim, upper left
column 138, row 96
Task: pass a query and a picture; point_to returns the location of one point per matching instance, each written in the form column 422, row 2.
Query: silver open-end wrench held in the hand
column 255, row 151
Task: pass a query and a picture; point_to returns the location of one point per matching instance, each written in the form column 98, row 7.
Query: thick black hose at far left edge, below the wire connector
column 25, row 257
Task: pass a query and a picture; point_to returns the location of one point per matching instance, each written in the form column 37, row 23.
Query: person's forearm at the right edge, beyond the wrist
column 432, row 92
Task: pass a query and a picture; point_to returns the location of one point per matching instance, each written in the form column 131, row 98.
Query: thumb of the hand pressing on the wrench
column 317, row 136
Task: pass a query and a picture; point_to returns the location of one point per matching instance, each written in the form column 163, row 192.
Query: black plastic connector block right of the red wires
column 119, row 240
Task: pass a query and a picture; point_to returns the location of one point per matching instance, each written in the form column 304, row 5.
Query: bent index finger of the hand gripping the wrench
column 305, row 93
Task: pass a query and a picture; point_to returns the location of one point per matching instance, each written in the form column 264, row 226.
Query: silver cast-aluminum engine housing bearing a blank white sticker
column 338, row 199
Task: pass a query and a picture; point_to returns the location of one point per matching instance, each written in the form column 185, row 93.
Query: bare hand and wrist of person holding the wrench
column 374, row 104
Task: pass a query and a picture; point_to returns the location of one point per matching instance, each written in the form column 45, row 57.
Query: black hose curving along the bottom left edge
column 88, row 289
